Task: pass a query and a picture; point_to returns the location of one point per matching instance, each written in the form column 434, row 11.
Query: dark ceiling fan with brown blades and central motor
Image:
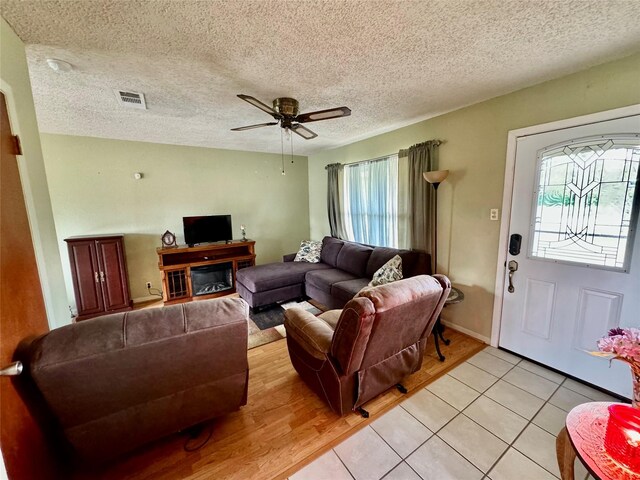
column 285, row 111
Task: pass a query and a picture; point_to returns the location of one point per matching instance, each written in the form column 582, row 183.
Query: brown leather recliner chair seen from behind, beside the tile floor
column 351, row 355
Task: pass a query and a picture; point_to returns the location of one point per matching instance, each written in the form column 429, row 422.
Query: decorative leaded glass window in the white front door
column 586, row 201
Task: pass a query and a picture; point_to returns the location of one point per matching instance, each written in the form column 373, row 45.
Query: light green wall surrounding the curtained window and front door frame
column 474, row 150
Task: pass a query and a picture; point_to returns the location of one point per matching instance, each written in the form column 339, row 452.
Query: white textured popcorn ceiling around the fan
column 392, row 62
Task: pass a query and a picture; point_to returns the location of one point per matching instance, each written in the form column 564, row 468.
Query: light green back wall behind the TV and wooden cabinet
column 93, row 191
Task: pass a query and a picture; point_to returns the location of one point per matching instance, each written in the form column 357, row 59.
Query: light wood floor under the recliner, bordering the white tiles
column 283, row 427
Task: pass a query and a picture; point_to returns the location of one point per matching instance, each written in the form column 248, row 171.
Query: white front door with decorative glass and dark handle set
column 575, row 204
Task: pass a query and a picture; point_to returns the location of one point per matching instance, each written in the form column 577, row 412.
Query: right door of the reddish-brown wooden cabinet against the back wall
column 114, row 275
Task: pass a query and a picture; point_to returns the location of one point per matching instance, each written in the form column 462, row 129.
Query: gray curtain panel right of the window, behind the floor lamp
column 422, row 158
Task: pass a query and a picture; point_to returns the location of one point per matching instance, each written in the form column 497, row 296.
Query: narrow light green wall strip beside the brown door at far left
column 15, row 84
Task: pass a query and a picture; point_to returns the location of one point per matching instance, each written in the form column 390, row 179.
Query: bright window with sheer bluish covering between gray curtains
column 371, row 201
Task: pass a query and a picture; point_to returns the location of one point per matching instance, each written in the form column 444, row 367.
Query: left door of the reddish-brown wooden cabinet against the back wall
column 86, row 281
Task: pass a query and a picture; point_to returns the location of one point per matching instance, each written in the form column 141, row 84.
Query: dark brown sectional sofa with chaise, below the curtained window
column 344, row 269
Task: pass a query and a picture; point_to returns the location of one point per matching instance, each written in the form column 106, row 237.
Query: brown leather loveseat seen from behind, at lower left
column 116, row 382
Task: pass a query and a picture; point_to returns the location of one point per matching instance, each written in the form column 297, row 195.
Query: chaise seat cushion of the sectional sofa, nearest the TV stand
column 275, row 275
